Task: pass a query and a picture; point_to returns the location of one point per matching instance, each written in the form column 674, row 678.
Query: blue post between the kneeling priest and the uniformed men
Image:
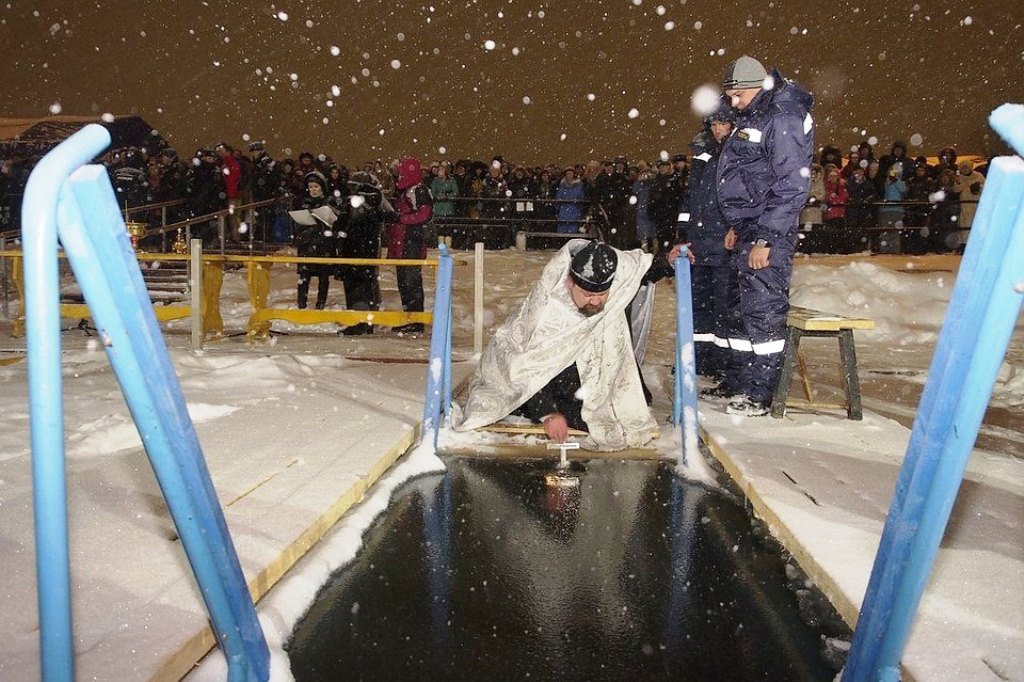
column 685, row 405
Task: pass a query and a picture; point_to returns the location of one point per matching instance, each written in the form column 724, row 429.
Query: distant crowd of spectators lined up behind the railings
column 925, row 207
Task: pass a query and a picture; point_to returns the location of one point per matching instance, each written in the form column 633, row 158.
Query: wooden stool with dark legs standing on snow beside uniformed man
column 805, row 322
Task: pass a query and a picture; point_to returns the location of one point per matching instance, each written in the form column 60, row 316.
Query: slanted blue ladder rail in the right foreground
column 986, row 304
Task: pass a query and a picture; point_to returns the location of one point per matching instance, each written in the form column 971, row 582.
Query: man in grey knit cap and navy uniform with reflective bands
column 763, row 184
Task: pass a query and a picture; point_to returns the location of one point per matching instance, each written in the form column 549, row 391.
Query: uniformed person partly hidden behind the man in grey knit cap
column 706, row 229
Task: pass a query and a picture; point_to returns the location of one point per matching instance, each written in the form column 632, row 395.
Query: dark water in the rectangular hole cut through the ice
column 488, row 574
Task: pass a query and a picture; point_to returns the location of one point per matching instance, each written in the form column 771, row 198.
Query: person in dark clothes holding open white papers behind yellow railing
column 316, row 241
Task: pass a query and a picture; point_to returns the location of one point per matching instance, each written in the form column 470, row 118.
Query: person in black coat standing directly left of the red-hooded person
column 364, row 215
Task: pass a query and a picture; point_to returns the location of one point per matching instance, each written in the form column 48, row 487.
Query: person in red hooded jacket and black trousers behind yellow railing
column 407, row 239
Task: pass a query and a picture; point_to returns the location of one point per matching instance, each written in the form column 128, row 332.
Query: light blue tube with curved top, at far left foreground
column 39, row 235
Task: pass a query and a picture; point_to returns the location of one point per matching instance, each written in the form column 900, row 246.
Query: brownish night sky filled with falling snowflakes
column 535, row 81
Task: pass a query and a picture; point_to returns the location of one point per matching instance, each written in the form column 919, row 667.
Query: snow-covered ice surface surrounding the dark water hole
column 296, row 418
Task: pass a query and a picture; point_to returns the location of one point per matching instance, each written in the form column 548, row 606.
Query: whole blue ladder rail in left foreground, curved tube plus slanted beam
column 112, row 284
